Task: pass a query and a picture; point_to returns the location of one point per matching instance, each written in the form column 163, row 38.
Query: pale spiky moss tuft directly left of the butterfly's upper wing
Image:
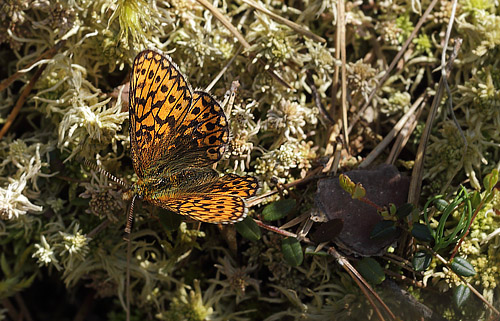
column 86, row 121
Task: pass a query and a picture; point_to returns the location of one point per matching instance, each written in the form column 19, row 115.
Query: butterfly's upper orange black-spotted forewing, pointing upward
column 159, row 97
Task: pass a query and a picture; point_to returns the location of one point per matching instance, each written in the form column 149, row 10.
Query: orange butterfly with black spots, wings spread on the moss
column 176, row 135
